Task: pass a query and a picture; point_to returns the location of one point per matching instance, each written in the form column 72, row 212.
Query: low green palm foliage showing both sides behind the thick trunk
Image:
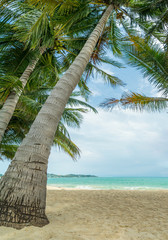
column 26, row 110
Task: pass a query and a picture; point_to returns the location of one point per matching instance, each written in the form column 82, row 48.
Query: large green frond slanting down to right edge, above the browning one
column 150, row 58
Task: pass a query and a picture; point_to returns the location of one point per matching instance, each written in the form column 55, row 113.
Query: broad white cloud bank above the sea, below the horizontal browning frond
column 117, row 143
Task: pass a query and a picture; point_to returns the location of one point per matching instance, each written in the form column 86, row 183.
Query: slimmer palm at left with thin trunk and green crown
column 38, row 32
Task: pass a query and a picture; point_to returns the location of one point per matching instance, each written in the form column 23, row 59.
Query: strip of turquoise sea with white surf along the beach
column 107, row 183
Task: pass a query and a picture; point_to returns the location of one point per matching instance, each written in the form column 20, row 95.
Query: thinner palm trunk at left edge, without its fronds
column 9, row 106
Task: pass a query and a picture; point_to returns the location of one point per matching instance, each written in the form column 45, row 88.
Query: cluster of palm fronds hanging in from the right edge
column 147, row 51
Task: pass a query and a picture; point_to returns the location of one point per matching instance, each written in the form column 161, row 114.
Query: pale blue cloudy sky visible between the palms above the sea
column 119, row 142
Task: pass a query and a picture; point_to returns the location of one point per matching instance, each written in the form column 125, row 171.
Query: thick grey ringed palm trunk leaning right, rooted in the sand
column 23, row 187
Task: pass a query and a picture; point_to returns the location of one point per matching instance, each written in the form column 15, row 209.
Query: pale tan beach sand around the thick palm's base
column 100, row 215
